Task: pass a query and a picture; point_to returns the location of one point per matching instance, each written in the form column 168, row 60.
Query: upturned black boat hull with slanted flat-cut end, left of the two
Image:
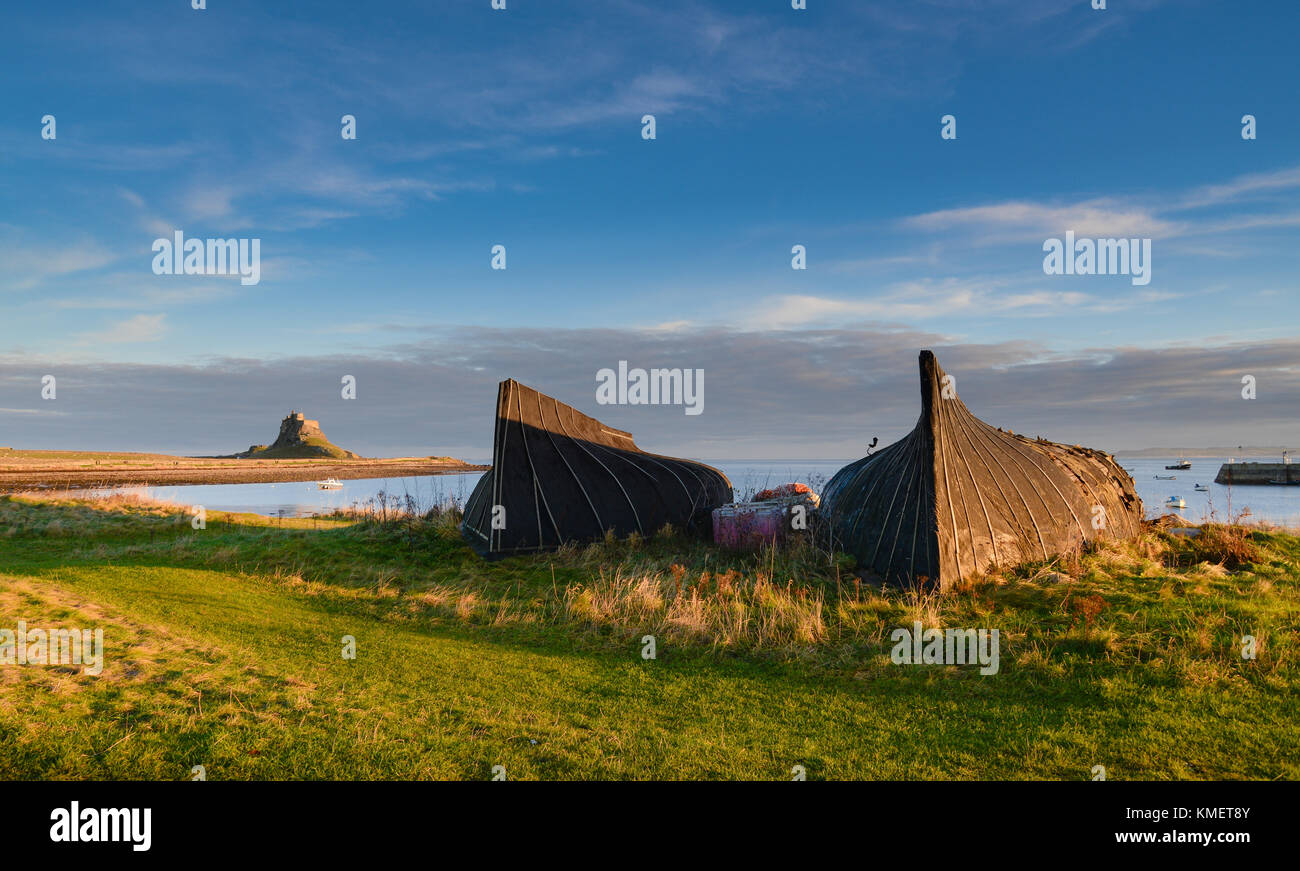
column 560, row 476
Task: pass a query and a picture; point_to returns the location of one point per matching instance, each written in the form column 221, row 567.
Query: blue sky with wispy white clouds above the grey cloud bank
column 523, row 128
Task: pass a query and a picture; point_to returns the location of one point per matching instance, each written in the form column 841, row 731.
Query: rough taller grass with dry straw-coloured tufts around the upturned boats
column 791, row 597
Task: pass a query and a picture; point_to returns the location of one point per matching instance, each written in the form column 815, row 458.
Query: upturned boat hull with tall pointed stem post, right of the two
column 957, row 497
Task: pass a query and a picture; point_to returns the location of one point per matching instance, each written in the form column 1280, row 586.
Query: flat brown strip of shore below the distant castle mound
column 81, row 470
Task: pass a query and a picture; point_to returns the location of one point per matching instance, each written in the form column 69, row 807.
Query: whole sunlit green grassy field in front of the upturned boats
column 224, row 649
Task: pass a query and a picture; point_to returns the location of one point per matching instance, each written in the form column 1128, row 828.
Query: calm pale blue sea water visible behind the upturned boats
column 302, row 499
